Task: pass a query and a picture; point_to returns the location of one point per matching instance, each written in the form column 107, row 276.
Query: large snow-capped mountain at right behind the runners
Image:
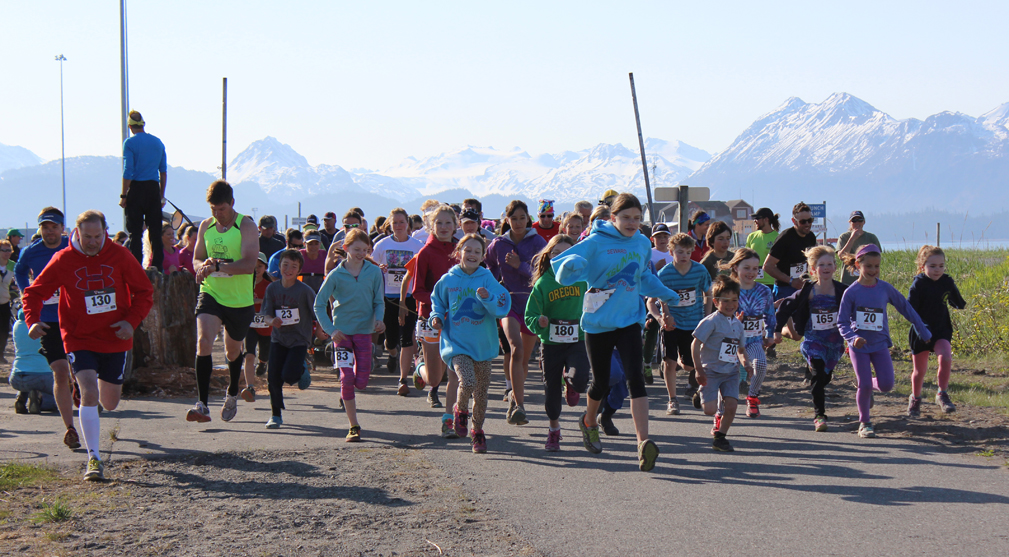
column 848, row 153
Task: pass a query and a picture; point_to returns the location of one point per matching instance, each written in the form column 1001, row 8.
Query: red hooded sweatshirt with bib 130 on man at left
column 97, row 292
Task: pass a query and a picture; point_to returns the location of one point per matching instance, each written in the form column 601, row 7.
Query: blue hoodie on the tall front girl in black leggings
column 619, row 275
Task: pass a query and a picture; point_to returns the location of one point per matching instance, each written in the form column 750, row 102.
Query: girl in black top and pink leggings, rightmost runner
column 932, row 290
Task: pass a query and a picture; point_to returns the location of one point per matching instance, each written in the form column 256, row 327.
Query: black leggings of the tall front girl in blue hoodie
column 601, row 348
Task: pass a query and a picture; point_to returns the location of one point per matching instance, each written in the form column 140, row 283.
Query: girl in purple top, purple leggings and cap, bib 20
column 864, row 324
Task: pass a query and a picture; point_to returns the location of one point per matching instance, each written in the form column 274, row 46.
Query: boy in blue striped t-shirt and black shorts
column 693, row 285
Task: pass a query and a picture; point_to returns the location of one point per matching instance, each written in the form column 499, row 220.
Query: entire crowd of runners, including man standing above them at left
column 590, row 291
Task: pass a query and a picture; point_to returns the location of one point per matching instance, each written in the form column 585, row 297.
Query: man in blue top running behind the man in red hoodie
column 34, row 260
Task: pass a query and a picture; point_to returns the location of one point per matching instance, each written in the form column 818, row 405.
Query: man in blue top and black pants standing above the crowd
column 146, row 173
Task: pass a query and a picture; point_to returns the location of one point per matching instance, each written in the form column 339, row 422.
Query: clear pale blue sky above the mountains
column 366, row 84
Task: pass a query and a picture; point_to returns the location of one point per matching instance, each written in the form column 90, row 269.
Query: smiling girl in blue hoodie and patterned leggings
column 467, row 303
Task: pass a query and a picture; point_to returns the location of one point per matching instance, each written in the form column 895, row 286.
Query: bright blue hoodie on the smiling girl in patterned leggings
column 470, row 323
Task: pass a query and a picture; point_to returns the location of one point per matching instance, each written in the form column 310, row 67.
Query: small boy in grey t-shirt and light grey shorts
column 718, row 351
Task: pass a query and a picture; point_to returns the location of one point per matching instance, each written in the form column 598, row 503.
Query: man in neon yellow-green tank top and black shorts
column 227, row 253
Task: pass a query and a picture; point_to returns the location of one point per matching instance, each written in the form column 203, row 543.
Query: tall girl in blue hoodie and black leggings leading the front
column 615, row 312
